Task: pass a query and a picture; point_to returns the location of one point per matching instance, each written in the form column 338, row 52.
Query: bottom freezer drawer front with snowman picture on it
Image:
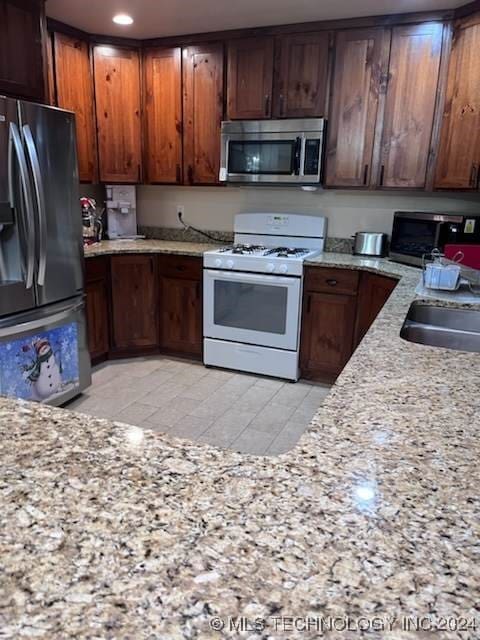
column 44, row 355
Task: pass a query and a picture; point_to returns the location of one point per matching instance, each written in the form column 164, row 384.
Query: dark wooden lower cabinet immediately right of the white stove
column 339, row 306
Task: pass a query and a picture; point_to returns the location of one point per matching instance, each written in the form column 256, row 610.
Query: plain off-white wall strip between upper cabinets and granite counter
column 347, row 211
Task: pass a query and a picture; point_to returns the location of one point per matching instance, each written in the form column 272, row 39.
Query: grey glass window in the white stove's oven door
column 249, row 306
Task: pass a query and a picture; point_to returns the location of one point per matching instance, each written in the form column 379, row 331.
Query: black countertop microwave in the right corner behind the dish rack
column 416, row 233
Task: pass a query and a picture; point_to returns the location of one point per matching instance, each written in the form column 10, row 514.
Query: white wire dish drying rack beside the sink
column 466, row 276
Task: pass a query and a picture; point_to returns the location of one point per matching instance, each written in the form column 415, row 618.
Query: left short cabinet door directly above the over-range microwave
column 250, row 78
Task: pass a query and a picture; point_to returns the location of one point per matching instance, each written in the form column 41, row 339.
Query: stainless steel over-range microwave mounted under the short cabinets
column 272, row 151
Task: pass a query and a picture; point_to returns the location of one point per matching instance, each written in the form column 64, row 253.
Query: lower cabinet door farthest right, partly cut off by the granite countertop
column 373, row 293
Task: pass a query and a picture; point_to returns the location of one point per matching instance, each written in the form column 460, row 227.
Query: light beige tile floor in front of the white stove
column 247, row 413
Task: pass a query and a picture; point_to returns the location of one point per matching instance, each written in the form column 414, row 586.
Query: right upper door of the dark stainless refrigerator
column 49, row 140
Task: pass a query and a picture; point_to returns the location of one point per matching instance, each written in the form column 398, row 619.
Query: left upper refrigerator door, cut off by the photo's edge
column 17, row 230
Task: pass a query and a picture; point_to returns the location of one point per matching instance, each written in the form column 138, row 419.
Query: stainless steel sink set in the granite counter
column 457, row 329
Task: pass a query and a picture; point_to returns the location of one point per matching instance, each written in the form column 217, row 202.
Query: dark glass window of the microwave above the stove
column 267, row 157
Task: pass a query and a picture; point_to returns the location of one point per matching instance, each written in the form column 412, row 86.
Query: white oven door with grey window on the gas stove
column 252, row 308
